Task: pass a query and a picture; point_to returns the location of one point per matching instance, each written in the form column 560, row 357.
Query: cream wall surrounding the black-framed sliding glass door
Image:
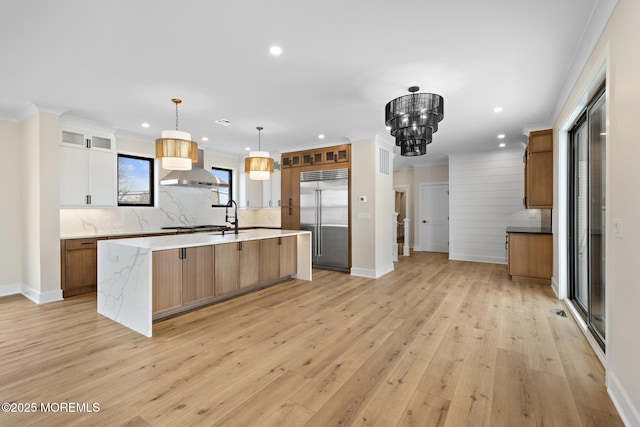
column 616, row 53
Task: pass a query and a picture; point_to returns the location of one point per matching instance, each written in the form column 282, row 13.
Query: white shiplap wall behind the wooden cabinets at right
column 486, row 191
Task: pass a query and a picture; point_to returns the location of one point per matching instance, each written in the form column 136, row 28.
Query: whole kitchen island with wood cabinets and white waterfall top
column 147, row 278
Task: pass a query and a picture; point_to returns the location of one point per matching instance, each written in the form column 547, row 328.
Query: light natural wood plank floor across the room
column 436, row 342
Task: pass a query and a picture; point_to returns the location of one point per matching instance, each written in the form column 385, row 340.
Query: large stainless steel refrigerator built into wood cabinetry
column 324, row 210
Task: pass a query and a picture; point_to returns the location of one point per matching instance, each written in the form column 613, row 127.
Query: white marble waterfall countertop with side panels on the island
column 125, row 278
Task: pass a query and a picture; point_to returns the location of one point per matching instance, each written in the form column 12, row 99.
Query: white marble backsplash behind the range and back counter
column 177, row 206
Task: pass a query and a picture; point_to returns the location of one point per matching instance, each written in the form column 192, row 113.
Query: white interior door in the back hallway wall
column 434, row 217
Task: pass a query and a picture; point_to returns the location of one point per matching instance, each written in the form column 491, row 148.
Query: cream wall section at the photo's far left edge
column 11, row 212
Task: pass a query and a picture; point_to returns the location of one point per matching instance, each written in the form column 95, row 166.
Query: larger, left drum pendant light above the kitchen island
column 175, row 148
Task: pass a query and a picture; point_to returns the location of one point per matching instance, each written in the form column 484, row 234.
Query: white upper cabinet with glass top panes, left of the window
column 88, row 169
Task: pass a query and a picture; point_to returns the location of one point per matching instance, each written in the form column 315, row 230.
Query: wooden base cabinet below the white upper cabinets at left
column 79, row 266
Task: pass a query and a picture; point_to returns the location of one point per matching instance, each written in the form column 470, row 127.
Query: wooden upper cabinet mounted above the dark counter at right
column 538, row 170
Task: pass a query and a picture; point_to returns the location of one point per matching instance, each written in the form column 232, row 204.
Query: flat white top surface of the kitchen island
column 174, row 241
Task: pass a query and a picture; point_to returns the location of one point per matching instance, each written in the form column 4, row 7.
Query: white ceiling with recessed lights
column 119, row 63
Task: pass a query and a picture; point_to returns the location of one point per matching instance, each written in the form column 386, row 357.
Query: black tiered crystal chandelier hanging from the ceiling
column 413, row 119
